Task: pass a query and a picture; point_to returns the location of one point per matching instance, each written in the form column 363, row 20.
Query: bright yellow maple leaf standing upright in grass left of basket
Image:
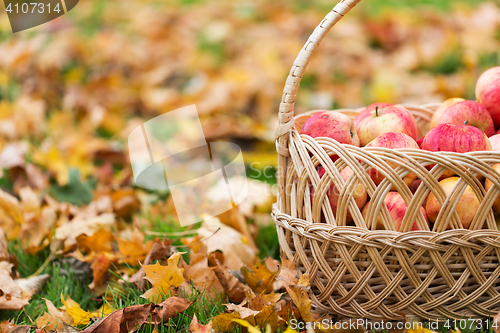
column 163, row 278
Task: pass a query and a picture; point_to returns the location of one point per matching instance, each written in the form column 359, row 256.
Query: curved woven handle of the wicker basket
column 285, row 115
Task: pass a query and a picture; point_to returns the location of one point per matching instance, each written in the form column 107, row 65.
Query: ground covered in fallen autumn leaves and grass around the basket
column 82, row 248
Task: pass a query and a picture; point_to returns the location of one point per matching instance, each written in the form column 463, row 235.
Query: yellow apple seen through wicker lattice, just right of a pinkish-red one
column 467, row 206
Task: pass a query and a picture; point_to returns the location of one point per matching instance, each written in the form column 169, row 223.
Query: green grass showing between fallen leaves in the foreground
column 66, row 280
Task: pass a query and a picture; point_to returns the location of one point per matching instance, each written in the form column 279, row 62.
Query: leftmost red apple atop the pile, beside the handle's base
column 333, row 125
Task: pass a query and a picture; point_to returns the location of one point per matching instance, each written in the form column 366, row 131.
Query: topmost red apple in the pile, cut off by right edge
column 488, row 92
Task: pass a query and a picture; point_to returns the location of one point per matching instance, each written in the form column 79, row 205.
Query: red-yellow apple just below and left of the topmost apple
column 471, row 112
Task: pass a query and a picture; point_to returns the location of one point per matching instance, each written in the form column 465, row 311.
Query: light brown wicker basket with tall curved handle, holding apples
column 357, row 271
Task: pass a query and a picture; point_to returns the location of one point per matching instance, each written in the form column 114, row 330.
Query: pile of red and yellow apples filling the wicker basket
column 457, row 125
